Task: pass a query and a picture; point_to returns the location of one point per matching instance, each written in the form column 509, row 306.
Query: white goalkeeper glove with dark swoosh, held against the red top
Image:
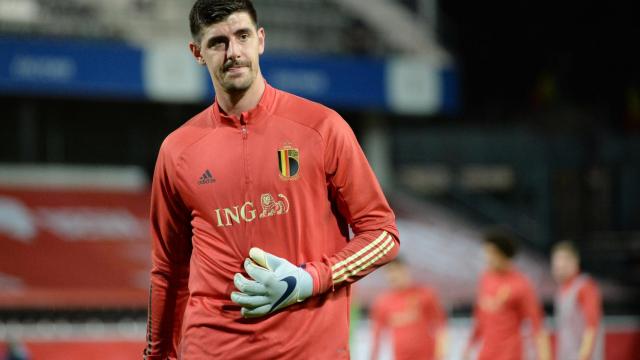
column 275, row 283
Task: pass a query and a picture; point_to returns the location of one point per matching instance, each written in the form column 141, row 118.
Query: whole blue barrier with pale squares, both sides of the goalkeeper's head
column 57, row 67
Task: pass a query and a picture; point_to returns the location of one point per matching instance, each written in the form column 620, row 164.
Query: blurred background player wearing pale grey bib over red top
column 578, row 308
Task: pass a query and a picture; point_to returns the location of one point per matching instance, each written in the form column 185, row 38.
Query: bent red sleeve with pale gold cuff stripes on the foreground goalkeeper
column 358, row 197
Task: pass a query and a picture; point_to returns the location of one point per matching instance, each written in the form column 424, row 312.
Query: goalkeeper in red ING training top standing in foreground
column 256, row 184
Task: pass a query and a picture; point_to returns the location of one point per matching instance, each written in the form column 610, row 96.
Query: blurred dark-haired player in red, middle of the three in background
column 505, row 300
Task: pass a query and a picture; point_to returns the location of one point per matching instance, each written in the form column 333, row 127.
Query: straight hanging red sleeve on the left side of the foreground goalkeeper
column 171, row 251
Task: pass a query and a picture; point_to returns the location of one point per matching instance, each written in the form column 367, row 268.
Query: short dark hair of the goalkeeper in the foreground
column 207, row 12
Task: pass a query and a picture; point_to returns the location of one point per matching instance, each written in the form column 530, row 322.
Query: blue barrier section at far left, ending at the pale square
column 70, row 68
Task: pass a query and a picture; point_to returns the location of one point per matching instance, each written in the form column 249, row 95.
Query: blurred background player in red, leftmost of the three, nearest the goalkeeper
column 413, row 316
